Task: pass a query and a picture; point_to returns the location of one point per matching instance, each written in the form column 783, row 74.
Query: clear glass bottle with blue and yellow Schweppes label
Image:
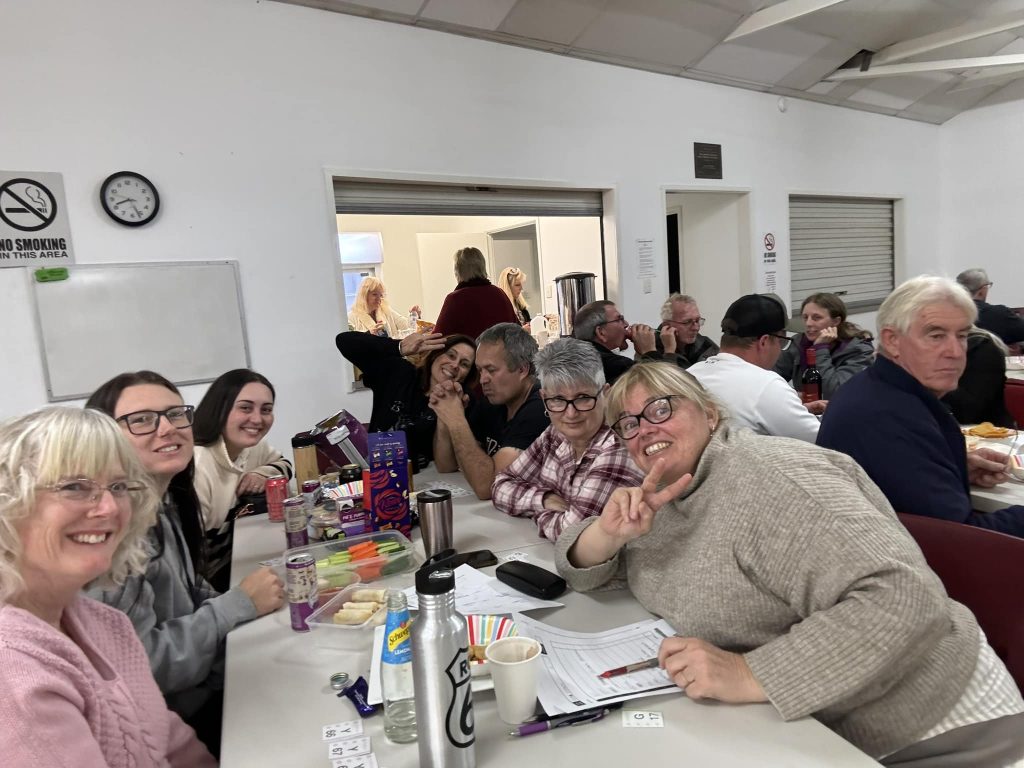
column 397, row 672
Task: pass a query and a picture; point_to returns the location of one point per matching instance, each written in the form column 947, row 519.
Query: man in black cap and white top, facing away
column 742, row 377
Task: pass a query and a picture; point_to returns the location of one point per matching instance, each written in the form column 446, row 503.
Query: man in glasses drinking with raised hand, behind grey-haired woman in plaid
column 604, row 326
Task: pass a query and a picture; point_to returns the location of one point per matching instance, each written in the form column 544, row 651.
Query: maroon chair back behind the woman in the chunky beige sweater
column 985, row 571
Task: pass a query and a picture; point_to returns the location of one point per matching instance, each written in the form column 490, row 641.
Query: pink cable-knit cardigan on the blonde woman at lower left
column 86, row 700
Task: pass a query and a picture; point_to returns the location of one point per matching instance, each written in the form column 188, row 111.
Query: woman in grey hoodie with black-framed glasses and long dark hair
column 181, row 619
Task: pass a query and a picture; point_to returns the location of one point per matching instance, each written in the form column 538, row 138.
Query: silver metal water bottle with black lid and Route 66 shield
column 441, row 674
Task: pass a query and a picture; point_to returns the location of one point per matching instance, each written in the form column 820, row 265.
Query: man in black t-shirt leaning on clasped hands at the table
column 485, row 440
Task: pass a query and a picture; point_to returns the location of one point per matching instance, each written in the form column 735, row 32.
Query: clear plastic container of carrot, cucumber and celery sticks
column 360, row 559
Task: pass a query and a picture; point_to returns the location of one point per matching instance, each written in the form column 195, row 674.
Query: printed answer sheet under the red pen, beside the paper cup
column 574, row 661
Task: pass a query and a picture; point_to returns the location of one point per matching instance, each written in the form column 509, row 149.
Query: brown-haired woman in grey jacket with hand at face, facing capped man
column 841, row 349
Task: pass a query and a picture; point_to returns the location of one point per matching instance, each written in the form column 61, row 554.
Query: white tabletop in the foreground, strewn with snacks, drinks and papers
column 278, row 697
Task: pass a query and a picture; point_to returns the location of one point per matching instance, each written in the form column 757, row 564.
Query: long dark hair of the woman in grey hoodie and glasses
column 183, row 488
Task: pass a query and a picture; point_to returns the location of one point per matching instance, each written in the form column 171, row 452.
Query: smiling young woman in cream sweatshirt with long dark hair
column 233, row 460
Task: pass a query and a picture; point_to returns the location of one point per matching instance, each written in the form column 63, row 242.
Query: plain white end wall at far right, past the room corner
column 983, row 159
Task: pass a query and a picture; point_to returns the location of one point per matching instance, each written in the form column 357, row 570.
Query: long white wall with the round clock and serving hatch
column 238, row 110
